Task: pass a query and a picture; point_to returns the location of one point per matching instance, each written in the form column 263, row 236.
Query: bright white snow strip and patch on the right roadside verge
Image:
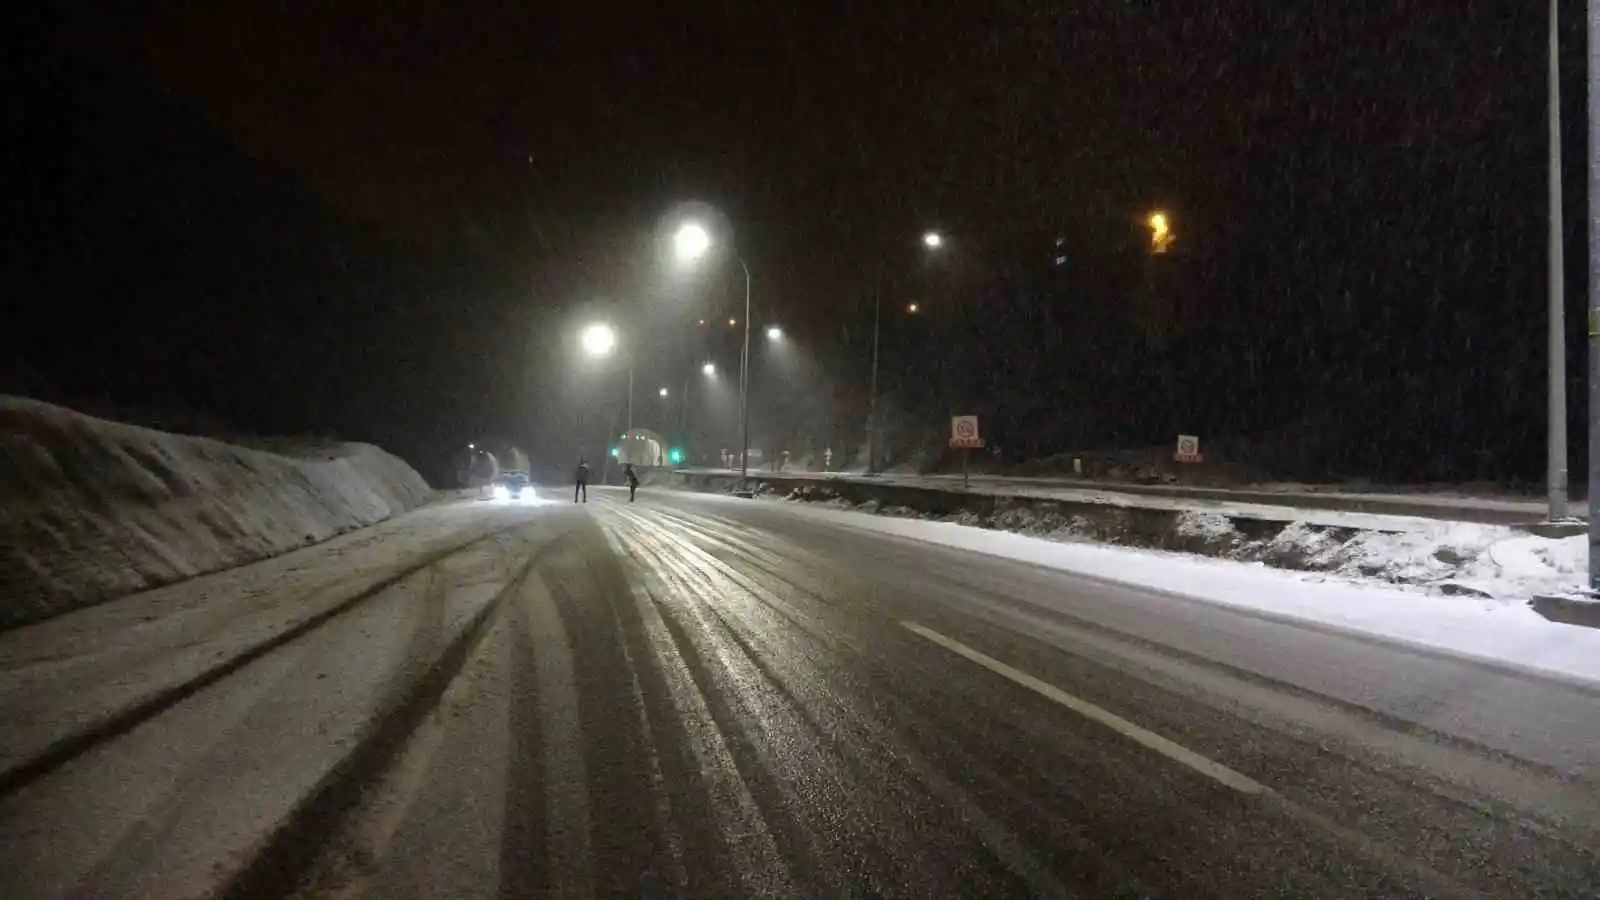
column 1486, row 629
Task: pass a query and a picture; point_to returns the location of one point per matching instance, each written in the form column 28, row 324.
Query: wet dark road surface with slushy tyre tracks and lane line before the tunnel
column 708, row 697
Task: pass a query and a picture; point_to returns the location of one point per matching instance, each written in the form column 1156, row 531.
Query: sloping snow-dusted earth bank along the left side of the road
column 94, row 510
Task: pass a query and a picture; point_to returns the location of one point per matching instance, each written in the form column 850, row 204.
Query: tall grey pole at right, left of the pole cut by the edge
column 1556, row 438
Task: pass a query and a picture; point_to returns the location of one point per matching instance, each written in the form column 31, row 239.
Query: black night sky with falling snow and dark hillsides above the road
column 388, row 220
